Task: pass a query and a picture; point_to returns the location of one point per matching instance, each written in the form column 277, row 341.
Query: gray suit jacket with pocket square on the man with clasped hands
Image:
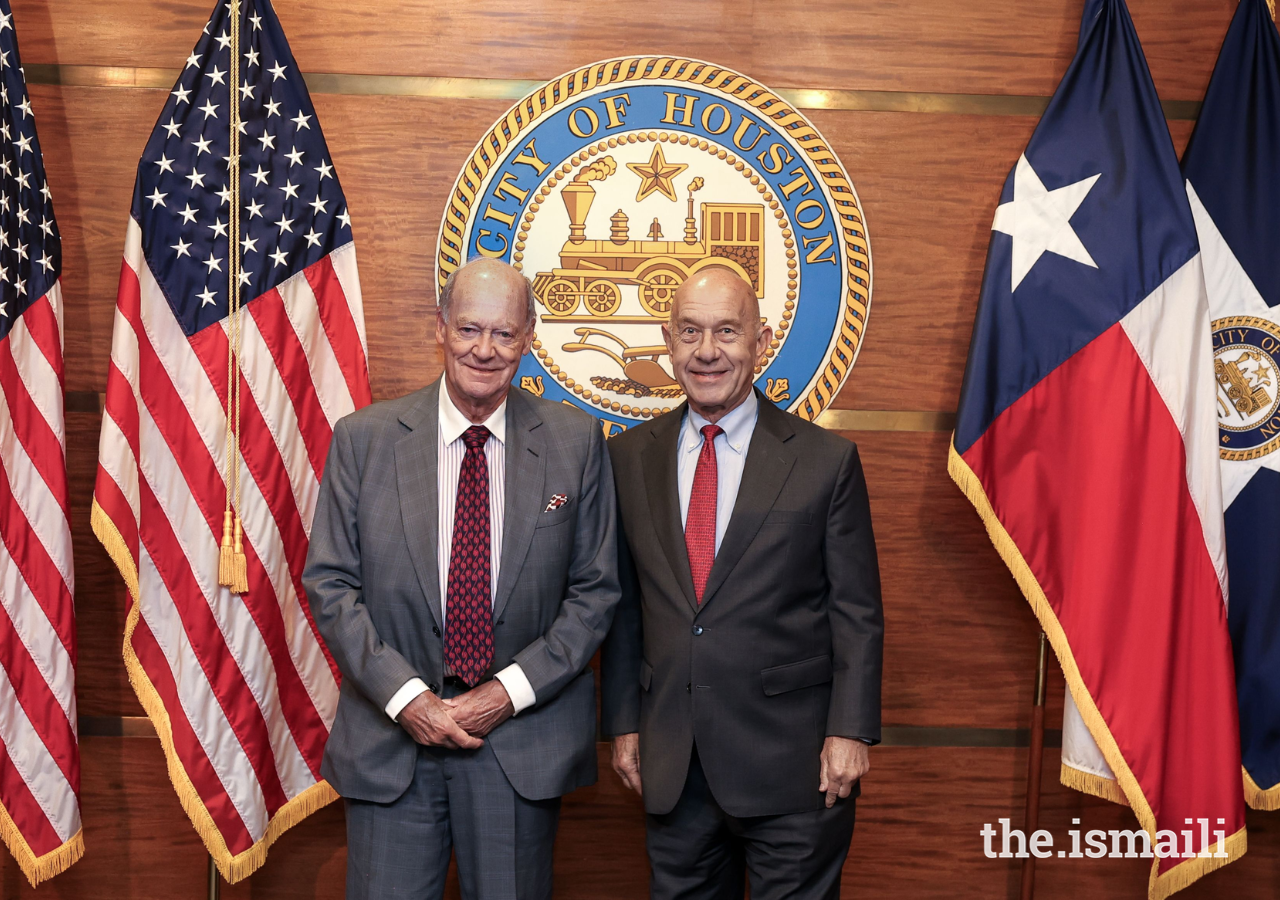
column 373, row 582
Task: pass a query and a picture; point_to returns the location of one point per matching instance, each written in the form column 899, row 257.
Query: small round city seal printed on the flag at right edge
column 1245, row 368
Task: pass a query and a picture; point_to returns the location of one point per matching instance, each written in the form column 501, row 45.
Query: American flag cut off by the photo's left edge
column 39, row 750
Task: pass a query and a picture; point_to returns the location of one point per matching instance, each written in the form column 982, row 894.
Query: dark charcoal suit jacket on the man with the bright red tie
column 787, row 646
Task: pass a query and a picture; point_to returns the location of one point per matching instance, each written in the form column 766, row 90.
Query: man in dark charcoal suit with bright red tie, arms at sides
column 742, row 678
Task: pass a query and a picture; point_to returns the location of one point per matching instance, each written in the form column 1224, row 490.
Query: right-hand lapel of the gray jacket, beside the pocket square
column 527, row 474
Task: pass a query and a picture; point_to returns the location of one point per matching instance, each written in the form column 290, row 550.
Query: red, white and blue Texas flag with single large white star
column 1087, row 440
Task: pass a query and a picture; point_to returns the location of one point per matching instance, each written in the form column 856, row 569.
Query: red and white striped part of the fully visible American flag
column 245, row 682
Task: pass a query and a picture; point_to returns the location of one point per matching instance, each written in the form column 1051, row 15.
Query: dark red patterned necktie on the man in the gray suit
column 469, row 606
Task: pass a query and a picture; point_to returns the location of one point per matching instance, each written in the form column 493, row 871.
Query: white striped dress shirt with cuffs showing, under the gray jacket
column 450, row 453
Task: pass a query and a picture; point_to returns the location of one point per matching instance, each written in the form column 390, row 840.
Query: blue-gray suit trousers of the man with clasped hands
column 459, row 801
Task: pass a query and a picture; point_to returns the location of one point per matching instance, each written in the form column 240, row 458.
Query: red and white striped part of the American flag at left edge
column 39, row 746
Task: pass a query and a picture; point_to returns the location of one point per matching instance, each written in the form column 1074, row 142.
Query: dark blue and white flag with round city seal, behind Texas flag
column 1233, row 180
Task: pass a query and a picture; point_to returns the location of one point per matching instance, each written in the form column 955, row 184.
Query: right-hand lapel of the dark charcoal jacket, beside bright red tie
column 769, row 464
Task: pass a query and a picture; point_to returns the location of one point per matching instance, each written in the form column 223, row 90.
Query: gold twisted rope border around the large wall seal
column 769, row 104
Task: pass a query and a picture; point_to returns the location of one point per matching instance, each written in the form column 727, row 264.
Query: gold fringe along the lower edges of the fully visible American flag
column 234, row 867
